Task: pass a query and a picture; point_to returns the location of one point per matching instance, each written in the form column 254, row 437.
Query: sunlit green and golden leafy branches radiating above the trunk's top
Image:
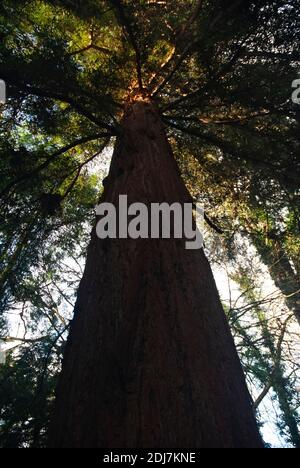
column 200, row 59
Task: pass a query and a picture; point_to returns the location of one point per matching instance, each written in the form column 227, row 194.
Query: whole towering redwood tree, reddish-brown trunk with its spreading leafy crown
column 150, row 361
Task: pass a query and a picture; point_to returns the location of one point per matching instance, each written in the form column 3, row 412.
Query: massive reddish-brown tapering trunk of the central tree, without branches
column 150, row 361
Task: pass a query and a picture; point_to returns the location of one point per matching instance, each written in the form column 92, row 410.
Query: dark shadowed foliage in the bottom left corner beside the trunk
column 27, row 384
